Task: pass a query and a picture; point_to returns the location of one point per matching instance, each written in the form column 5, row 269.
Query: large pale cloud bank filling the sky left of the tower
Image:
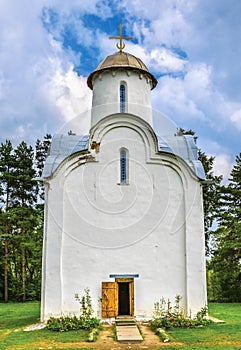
column 38, row 87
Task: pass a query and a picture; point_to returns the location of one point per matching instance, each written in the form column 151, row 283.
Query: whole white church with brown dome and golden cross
column 124, row 206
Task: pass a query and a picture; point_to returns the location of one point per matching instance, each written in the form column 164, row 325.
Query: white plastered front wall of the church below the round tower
column 152, row 227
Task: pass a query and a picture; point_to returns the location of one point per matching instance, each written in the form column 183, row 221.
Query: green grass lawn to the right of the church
column 216, row 336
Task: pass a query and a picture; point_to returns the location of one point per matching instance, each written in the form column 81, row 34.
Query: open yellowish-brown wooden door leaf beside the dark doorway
column 109, row 299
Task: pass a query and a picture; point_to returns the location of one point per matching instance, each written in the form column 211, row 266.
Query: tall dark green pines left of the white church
column 21, row 219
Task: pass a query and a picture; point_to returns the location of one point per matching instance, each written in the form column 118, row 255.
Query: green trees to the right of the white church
column 222, row 207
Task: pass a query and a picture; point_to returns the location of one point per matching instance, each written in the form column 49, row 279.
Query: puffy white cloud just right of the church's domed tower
column 194, row 101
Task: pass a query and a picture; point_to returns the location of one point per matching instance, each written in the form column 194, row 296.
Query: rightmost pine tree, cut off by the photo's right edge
column 227, row 254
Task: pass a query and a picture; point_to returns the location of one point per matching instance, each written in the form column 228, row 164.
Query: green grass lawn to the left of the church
column 14, row 317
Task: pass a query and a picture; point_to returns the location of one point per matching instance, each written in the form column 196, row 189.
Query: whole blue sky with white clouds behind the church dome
column 193, row 47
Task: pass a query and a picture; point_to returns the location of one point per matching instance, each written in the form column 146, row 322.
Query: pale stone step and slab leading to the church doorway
column 127, row 331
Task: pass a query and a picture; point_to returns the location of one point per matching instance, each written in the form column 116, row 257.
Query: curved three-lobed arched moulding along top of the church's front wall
column 147, row 134
